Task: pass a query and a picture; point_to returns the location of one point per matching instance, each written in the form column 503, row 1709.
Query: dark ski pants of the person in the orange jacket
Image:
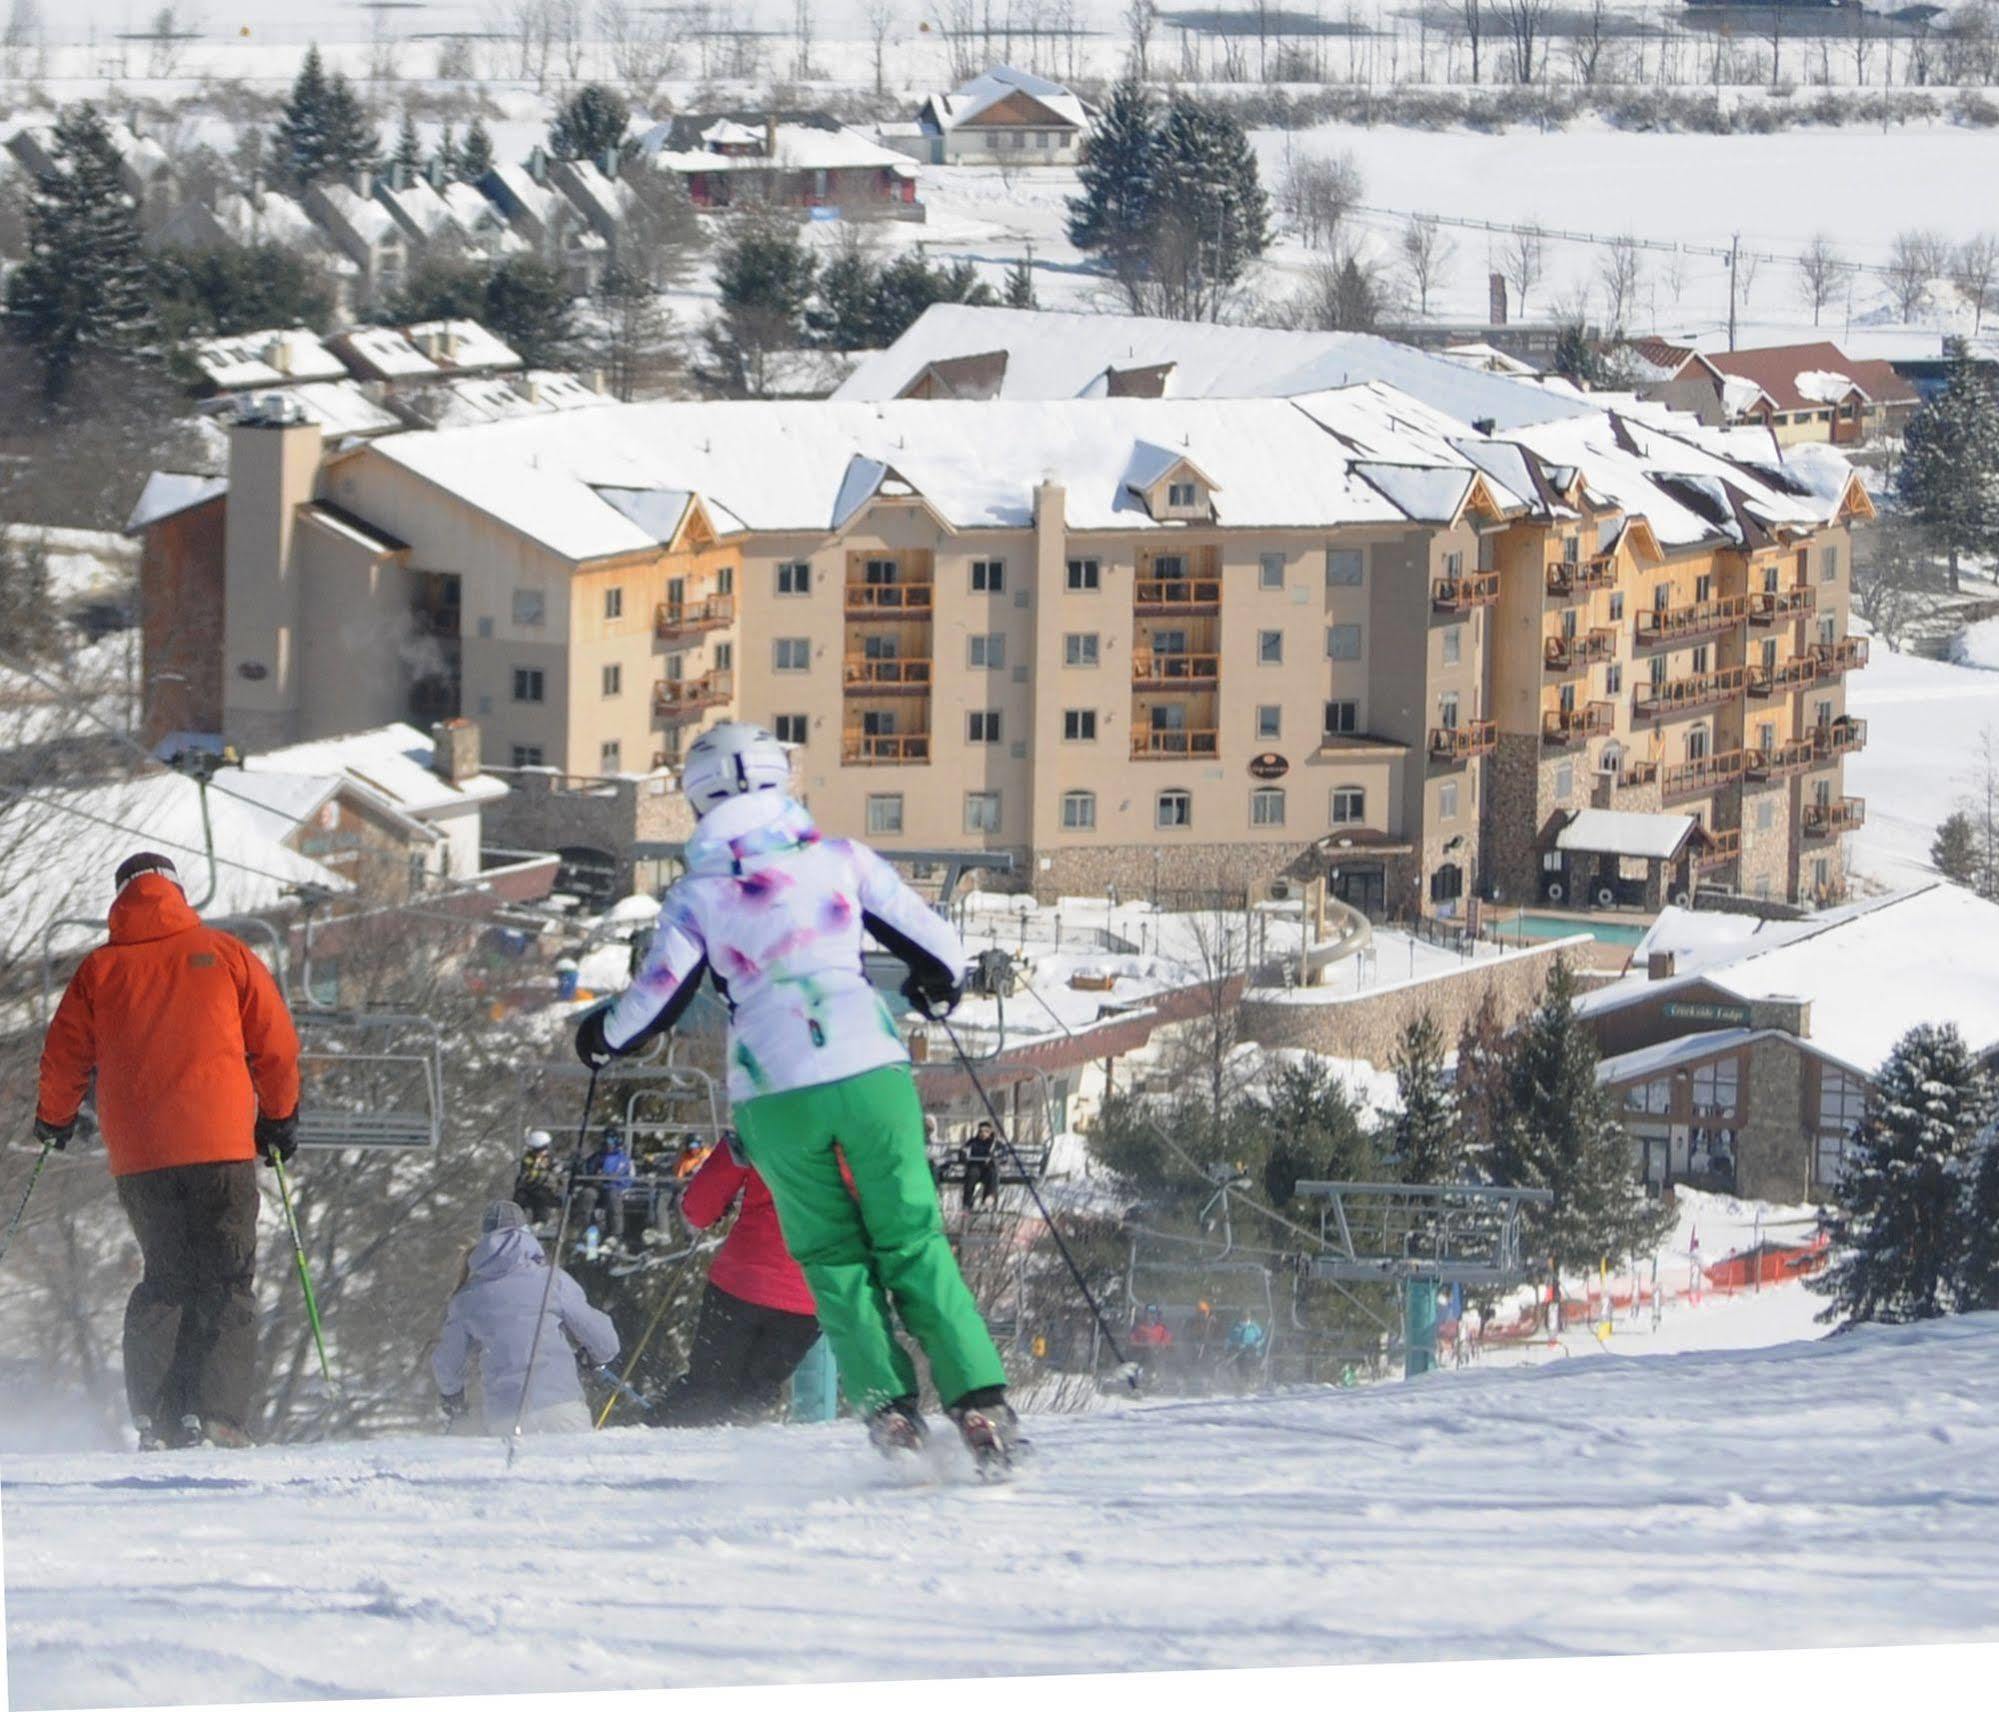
column 191, row 1325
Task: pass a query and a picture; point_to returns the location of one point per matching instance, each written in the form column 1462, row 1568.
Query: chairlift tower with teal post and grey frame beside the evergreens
column 1422, row 1237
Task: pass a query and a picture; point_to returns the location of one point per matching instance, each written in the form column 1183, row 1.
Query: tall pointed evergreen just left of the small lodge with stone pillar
column 1562, row 1133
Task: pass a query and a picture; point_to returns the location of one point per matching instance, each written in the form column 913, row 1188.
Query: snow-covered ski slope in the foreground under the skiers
column 1828, row 1493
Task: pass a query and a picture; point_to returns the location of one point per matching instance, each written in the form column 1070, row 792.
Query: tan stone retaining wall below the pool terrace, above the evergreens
column 1368, row 1025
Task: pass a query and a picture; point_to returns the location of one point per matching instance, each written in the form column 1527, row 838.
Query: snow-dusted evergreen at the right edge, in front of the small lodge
column 1910, row 1183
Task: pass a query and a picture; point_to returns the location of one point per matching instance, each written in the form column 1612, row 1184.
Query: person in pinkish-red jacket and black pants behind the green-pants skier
column 757, row 1317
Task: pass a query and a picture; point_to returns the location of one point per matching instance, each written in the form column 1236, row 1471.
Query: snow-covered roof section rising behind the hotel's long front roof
column 1064, row 355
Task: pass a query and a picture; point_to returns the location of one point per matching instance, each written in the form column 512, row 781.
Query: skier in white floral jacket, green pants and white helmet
column 819, row 1077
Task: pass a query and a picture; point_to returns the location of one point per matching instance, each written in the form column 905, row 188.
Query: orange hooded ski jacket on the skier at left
column 187, row 1033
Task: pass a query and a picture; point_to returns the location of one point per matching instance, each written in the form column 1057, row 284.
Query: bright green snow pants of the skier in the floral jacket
column 887, row 1245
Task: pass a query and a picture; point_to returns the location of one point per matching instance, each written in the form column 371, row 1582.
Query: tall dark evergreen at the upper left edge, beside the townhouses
column 85, row 285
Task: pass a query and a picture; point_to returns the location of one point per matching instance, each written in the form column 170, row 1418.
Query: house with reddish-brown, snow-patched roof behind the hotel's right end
column 1796, row 391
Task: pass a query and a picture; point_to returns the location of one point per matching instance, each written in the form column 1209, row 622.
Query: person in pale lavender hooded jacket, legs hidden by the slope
column 495, row 1311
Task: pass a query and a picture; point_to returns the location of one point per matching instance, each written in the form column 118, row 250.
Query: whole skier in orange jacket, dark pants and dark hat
column 197, row 1067
